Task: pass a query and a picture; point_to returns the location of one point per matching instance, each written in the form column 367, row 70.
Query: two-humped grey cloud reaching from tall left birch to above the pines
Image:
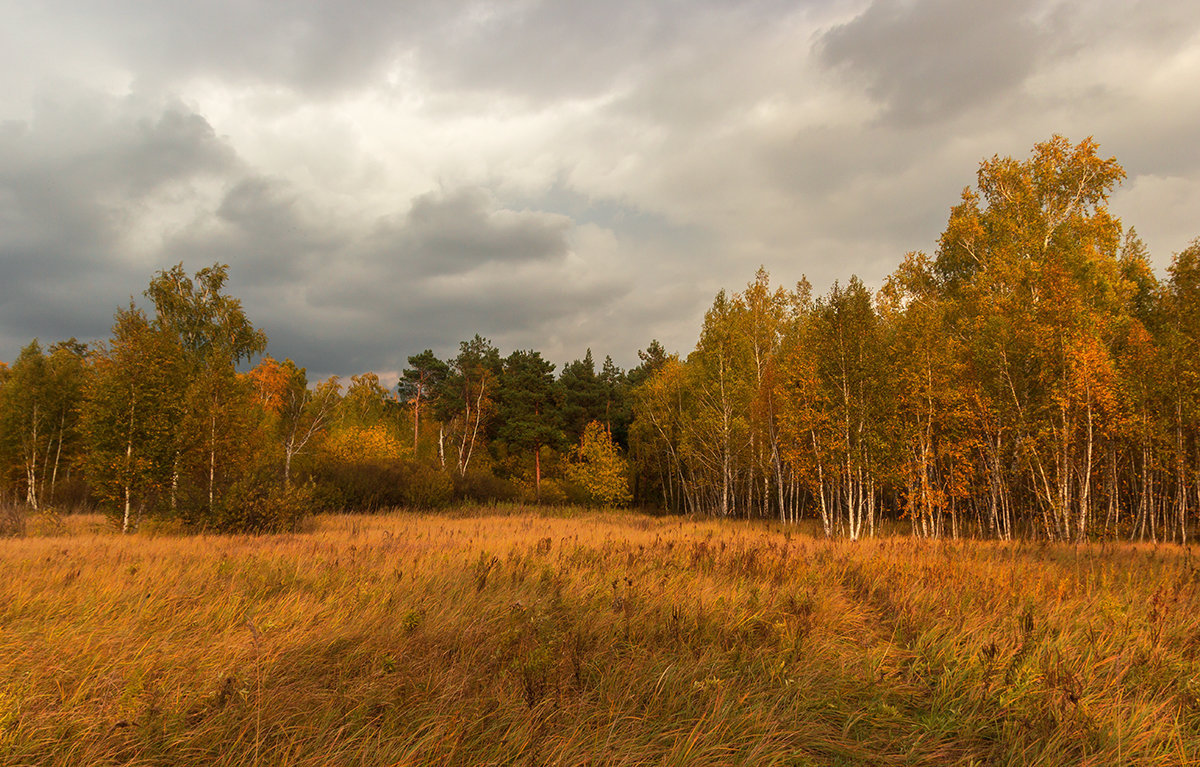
column 345, row 297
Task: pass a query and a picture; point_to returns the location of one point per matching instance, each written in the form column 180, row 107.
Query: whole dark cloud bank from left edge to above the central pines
column 337, row 295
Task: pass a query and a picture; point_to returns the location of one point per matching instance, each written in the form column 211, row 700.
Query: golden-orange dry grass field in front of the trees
column 509, row 638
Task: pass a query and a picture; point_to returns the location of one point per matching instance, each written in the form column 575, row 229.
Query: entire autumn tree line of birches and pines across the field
column 1033, row 377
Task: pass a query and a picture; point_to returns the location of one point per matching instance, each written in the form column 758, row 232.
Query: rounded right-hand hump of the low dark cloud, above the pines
column 455, row 265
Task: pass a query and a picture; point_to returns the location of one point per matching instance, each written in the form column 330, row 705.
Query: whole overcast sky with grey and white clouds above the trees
column 389, row 177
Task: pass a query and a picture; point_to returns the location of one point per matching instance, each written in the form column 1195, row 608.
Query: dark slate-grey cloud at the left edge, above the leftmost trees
column 73, row 181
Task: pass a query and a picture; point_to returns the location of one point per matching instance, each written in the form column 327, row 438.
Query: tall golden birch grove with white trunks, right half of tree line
column 1033, row 377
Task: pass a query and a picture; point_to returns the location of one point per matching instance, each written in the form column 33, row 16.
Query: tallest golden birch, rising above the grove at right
column 1031, row 261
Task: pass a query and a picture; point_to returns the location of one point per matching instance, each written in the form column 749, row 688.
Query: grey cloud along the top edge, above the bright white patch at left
column 317, row 47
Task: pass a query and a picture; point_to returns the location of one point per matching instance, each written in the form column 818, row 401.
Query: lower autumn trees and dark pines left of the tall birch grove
column 160, row 423
